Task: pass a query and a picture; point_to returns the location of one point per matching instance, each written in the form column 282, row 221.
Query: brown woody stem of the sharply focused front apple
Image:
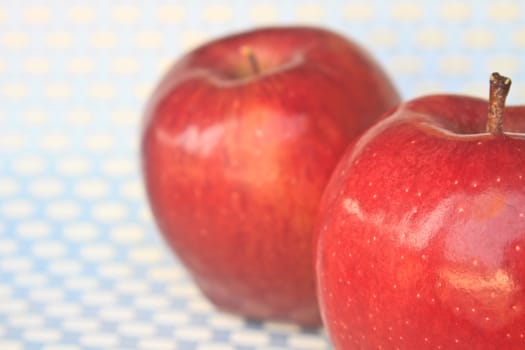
column 499, row 89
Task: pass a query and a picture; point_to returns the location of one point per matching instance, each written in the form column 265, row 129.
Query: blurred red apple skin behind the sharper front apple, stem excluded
column 235, row 163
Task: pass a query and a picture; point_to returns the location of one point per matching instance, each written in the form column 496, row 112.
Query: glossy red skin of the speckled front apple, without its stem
column 421, row 232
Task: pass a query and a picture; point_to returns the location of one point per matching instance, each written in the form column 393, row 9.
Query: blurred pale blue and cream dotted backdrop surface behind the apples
column 81, row 263
